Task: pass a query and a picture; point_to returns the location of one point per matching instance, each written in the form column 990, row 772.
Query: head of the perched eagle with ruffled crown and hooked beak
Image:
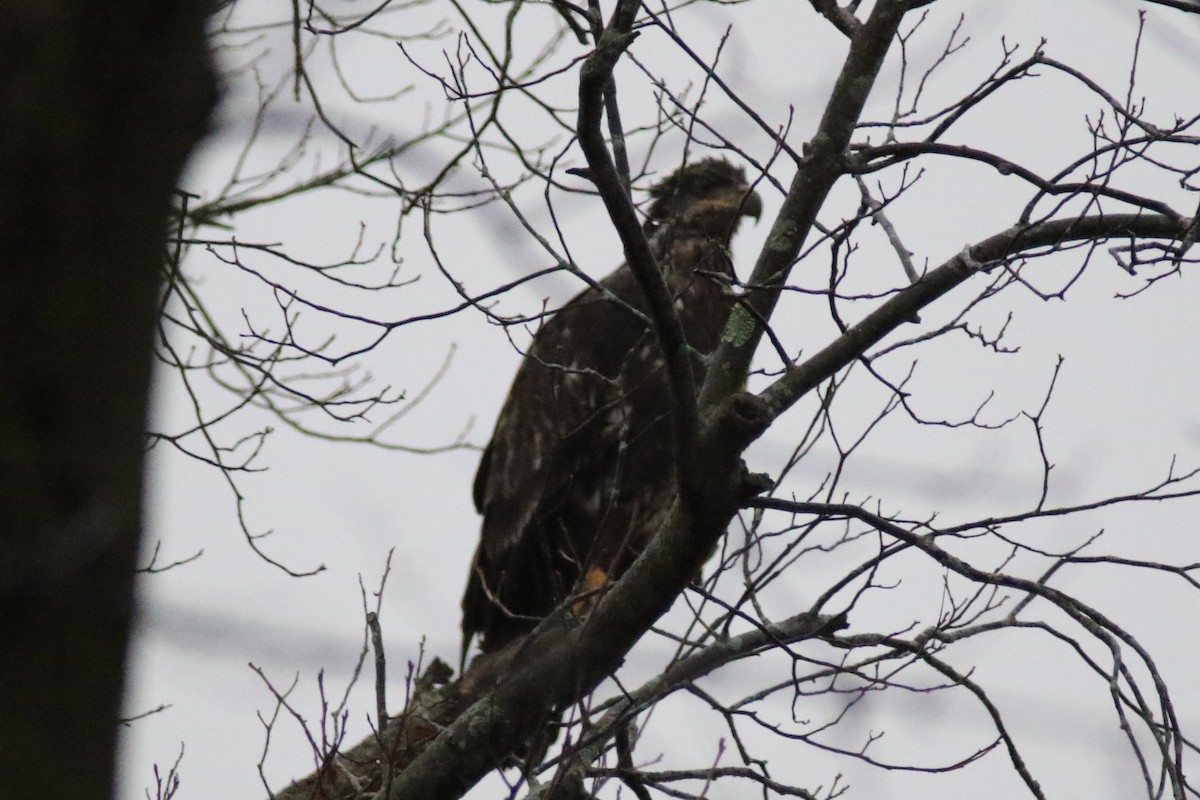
column 711, row 196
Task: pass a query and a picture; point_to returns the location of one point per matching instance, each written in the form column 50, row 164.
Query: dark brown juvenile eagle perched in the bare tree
column 583, row 446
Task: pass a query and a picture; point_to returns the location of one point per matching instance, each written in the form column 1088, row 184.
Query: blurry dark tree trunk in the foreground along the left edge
column 100, row 106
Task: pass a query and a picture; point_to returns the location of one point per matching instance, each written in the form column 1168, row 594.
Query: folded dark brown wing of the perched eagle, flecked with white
column 545, row 464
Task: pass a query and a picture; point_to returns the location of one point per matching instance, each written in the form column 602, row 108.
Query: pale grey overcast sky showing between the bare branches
column 1124, row 407
